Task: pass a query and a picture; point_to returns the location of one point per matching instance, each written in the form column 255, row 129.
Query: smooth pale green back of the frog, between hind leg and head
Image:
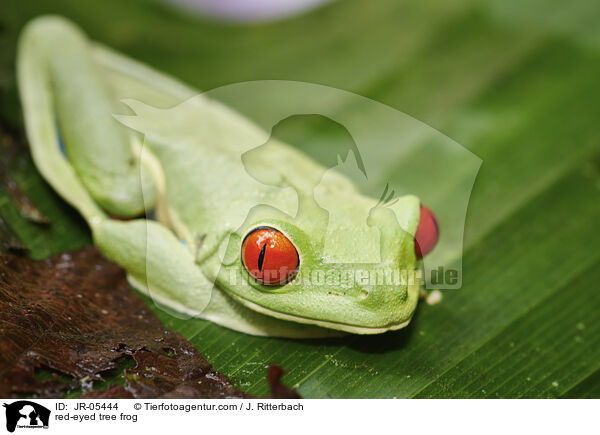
column 206, row 149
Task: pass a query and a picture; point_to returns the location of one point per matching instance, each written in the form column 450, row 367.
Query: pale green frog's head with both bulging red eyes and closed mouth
column 358, row 276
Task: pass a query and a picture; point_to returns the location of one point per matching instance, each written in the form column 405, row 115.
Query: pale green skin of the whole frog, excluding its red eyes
column 184, row 164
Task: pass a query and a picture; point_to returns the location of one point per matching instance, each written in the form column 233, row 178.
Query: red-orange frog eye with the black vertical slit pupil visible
column 269, row 256
